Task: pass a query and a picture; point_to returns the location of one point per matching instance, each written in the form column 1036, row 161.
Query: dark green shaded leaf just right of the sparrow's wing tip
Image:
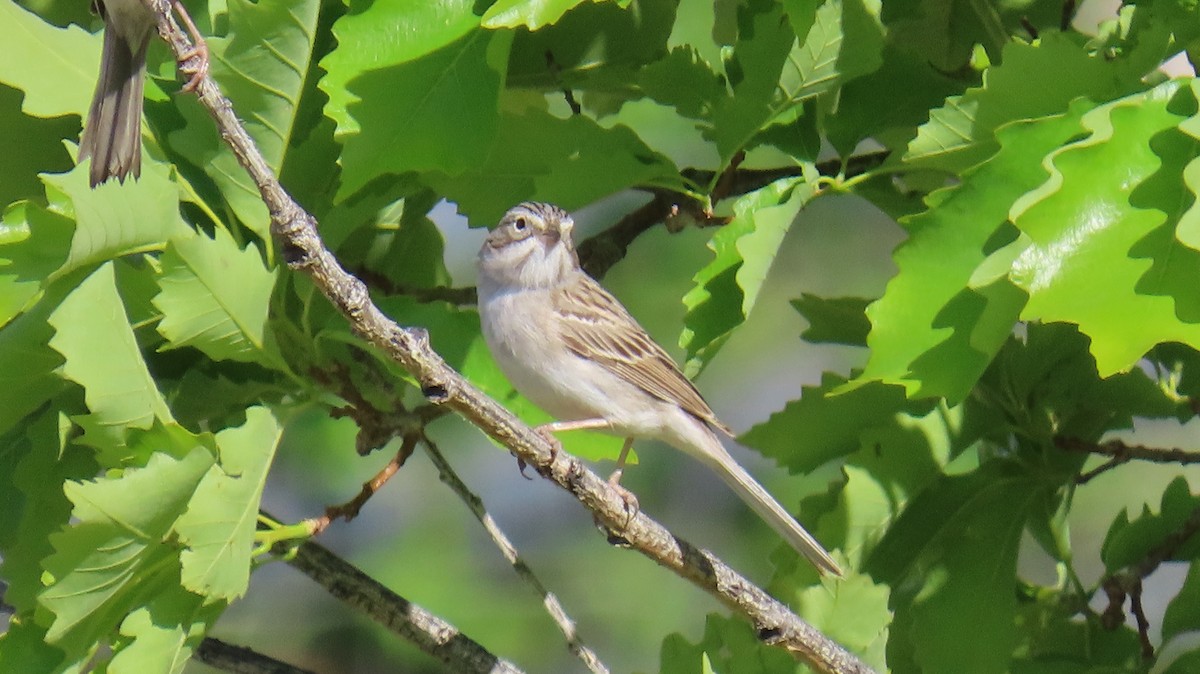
column 821, row 426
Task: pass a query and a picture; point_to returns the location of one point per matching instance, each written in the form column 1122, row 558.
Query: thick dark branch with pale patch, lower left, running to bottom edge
column 394, row 612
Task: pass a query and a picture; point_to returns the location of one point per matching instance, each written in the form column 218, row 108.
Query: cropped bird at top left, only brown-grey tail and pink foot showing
column 112, row 135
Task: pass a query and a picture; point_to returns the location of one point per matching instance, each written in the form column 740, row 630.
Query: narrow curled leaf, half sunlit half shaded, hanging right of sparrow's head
column 728, row 288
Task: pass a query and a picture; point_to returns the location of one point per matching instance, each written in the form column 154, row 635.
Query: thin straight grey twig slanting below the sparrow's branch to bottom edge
column 554, row 607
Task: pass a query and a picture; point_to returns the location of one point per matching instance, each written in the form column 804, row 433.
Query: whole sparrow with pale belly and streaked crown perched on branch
column 572, row 348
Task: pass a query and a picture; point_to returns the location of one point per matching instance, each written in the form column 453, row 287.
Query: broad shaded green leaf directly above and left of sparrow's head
column 403, row 118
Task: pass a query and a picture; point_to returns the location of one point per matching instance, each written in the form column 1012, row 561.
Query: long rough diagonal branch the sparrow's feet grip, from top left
column 302, row 248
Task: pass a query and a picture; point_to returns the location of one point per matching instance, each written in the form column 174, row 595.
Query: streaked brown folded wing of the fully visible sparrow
column 597, row 327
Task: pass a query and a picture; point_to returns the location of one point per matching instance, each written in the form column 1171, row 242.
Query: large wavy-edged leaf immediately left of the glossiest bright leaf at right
column 934, row 332
